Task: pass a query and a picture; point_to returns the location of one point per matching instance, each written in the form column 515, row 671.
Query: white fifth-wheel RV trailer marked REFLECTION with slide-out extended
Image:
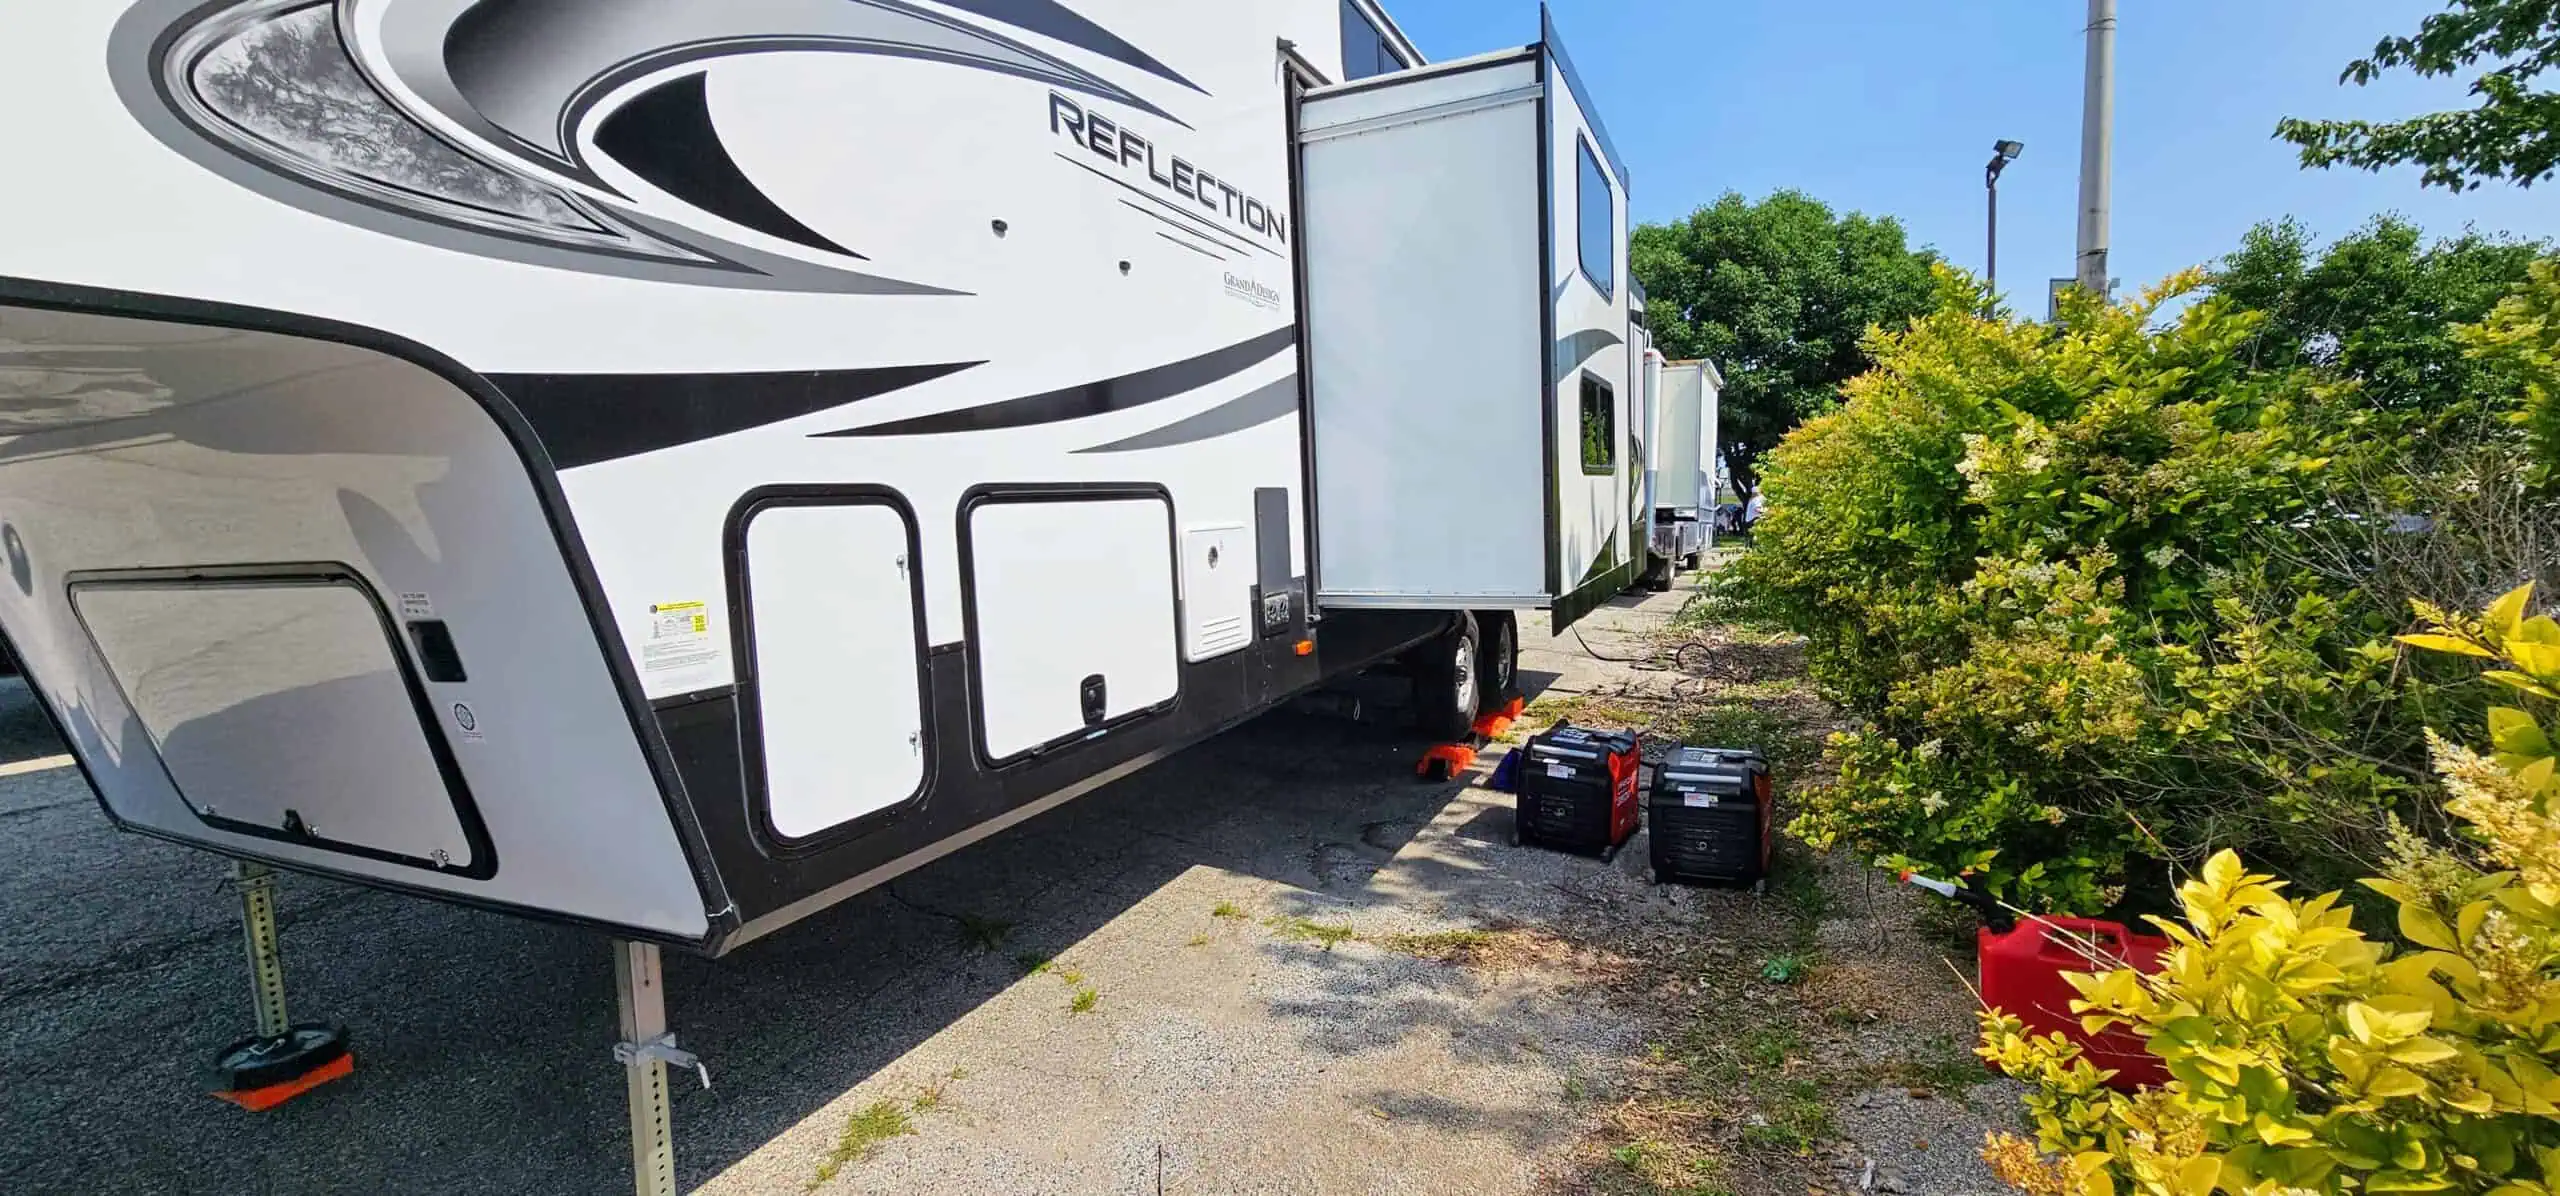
column 669, row 467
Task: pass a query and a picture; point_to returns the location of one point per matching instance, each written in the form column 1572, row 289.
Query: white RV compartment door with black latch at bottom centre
column 1071, row 616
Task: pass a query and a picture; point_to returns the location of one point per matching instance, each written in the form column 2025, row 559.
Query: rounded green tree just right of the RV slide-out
column 1780, row 296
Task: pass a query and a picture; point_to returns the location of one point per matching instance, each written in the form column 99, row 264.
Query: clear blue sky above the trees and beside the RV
column 1891, row 106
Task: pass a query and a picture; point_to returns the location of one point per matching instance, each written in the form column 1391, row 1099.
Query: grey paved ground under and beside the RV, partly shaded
column 1220, row 1054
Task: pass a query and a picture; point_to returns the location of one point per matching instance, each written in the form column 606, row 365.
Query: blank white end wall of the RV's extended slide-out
column 1427, row 337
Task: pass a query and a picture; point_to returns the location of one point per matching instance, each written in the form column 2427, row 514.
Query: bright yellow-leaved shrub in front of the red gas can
column 2308, row 1059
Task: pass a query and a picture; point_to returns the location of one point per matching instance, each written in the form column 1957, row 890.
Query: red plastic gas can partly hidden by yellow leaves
column 2024, row 974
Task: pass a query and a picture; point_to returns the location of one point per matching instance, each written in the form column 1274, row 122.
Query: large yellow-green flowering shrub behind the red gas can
column 2108, row 595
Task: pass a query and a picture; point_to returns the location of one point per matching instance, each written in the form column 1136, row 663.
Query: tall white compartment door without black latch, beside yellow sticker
column 838, row 703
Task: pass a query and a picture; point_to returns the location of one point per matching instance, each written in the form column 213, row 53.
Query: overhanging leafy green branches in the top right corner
column 2513, row 134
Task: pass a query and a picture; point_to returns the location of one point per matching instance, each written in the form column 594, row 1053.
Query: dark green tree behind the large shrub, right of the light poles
column 2377, row 306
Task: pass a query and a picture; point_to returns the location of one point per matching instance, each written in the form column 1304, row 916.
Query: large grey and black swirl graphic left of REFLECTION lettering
column 467, row 122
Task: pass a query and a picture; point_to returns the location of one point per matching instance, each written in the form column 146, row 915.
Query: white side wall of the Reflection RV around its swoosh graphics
column 1038, row 309
